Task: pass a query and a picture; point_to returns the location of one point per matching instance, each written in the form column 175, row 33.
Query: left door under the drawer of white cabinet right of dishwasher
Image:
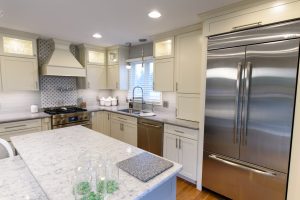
column 171, row 147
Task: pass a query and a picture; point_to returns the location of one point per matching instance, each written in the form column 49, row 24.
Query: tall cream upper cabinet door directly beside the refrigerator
column 188, row 62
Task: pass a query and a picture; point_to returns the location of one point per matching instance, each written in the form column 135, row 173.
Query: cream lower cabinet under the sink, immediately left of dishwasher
column 124, row 128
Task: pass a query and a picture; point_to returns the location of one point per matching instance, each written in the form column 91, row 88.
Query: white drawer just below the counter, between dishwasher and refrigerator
column 181, row 131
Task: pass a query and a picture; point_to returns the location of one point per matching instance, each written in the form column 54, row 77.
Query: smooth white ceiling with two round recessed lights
column 119, row 21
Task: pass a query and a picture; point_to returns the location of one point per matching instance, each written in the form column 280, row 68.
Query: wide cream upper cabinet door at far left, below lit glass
column 19, row 73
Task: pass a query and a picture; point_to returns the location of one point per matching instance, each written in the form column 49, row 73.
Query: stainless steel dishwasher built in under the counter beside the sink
column 150, row 136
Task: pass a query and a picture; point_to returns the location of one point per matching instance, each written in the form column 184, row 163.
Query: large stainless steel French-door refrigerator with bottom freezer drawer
column 250, row 96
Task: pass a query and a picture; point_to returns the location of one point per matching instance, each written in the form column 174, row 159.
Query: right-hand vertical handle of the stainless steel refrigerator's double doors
column 245, row 115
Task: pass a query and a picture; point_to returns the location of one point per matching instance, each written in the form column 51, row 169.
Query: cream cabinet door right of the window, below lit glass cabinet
column 164, row 75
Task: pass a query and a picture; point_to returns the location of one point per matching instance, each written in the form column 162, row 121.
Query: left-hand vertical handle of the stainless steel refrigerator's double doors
column 237, row 103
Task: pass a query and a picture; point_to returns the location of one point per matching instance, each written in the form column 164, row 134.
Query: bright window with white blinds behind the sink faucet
column 143, row 76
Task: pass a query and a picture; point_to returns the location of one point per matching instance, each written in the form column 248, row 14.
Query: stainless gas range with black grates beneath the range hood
column 69, row 116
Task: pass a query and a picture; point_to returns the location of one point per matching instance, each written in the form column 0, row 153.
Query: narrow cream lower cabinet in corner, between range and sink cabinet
column 101, row 122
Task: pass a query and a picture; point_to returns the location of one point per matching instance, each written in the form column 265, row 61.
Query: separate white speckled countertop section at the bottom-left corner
column 16, row 181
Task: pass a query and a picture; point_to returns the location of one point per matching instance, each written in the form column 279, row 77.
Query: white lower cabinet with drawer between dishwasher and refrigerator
column 181, row 146
